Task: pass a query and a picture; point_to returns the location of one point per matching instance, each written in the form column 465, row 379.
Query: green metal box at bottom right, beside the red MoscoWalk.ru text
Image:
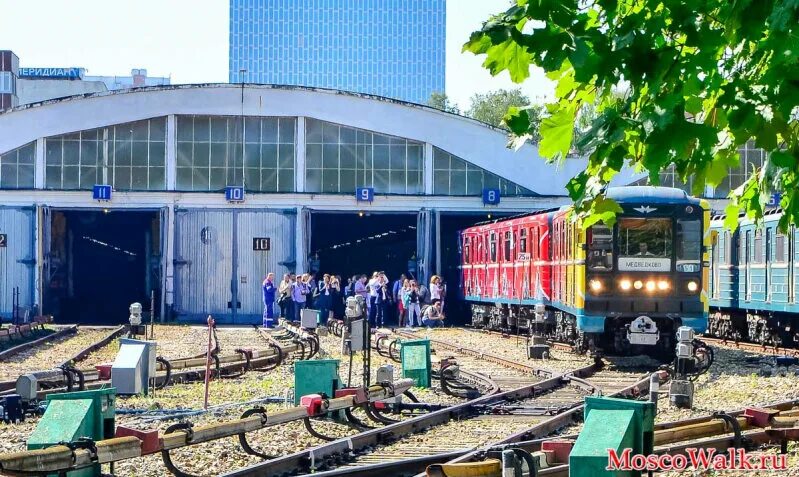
column 616, row 424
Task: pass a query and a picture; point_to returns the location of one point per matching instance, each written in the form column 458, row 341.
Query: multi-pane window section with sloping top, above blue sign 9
column 339, row 159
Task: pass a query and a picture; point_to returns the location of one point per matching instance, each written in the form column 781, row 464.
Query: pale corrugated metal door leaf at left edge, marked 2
column 17, row 257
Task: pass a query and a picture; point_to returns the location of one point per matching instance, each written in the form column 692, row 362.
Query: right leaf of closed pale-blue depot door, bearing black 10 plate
column 254, row 265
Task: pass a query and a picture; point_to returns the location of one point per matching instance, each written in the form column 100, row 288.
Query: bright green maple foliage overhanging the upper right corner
column 699, row 79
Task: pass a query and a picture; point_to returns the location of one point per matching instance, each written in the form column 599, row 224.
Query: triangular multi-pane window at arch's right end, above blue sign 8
column 455, row 176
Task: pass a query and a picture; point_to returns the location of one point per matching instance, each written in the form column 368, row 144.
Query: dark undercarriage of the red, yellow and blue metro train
column 559, row 326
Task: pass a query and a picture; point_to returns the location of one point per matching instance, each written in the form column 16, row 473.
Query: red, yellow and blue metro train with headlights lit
column 608, row 290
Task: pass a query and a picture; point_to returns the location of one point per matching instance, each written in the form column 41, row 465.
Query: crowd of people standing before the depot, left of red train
column 404, row 302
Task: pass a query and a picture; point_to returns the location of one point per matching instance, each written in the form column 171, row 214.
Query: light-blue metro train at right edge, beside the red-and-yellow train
column 754, row 282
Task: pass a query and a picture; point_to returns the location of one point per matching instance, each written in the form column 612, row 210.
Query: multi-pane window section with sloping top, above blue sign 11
column 129, row 156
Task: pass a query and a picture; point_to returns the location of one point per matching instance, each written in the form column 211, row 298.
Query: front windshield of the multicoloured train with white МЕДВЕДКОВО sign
column 645, row 244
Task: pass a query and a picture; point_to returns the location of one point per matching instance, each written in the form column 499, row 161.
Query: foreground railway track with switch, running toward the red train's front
column 527, row 398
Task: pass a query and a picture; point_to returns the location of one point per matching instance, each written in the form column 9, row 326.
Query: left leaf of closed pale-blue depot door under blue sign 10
column 203, row 263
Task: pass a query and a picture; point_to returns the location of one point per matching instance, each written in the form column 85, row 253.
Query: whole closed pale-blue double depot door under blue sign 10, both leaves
column 215, row 260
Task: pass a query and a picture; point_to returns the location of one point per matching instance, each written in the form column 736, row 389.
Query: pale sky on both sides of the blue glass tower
column 187, row 40
